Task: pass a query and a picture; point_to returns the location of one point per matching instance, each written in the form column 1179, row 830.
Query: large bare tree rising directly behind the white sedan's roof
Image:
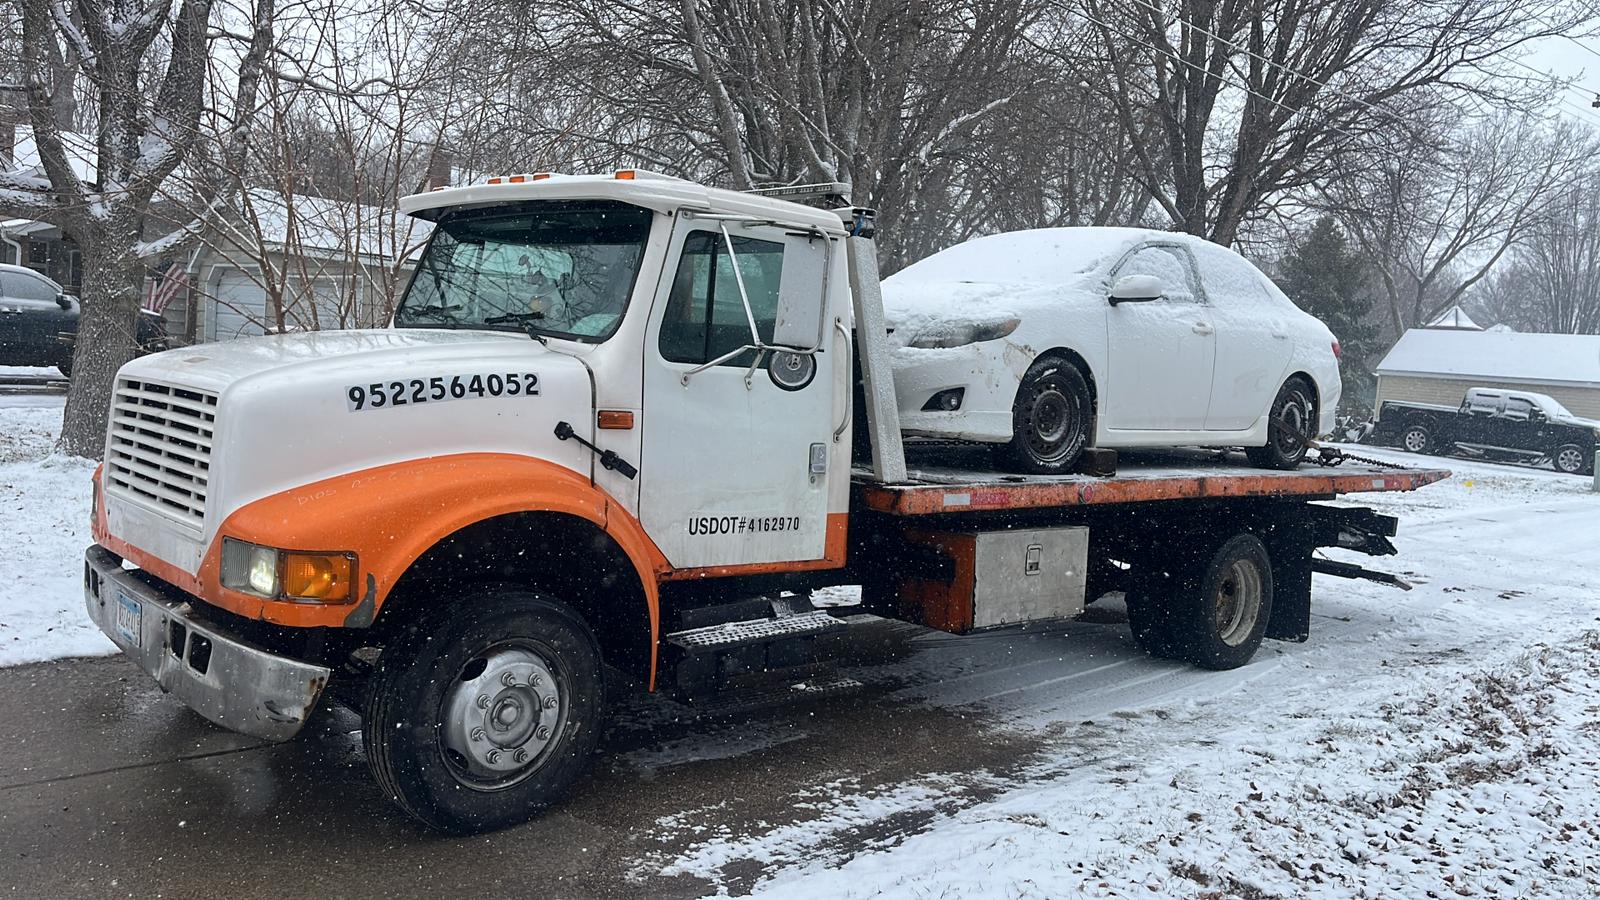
column 1257, row 98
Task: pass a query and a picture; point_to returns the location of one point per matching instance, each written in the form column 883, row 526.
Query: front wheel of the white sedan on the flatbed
column 1054, row 419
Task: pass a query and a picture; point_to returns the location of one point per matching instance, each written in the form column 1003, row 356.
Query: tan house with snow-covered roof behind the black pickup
column 1438, row 366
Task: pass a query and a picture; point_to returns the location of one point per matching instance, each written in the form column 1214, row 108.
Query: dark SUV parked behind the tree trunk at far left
column 39, row 323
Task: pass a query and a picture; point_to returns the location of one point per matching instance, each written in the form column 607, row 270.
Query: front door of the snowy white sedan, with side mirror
column 1161, row 353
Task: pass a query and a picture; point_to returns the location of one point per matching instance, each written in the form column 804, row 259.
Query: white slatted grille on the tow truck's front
column 161, row 446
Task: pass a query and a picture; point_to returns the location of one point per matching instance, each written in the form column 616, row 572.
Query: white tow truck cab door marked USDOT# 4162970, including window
column 730, row 459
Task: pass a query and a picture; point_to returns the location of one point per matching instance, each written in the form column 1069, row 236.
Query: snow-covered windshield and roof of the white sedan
column 1046, row 255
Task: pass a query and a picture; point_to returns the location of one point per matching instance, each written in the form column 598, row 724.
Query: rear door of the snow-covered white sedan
column 1255, row 340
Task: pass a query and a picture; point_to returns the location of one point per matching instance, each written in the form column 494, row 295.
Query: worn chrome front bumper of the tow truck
column 226, row 680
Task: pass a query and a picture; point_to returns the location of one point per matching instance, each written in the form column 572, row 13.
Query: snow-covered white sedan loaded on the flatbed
column 1054, row 340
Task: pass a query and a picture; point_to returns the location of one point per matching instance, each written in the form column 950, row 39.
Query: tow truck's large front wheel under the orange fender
column 486, row 712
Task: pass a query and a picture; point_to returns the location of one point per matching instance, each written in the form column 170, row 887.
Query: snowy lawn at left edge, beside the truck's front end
column 46, row 513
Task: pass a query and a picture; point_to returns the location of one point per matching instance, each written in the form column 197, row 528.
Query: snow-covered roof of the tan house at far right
column 1503, row 356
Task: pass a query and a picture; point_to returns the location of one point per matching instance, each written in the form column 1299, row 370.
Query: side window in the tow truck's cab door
column 705, row 316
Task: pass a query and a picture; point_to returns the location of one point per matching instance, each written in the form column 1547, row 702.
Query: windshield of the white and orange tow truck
column 554, row 268
